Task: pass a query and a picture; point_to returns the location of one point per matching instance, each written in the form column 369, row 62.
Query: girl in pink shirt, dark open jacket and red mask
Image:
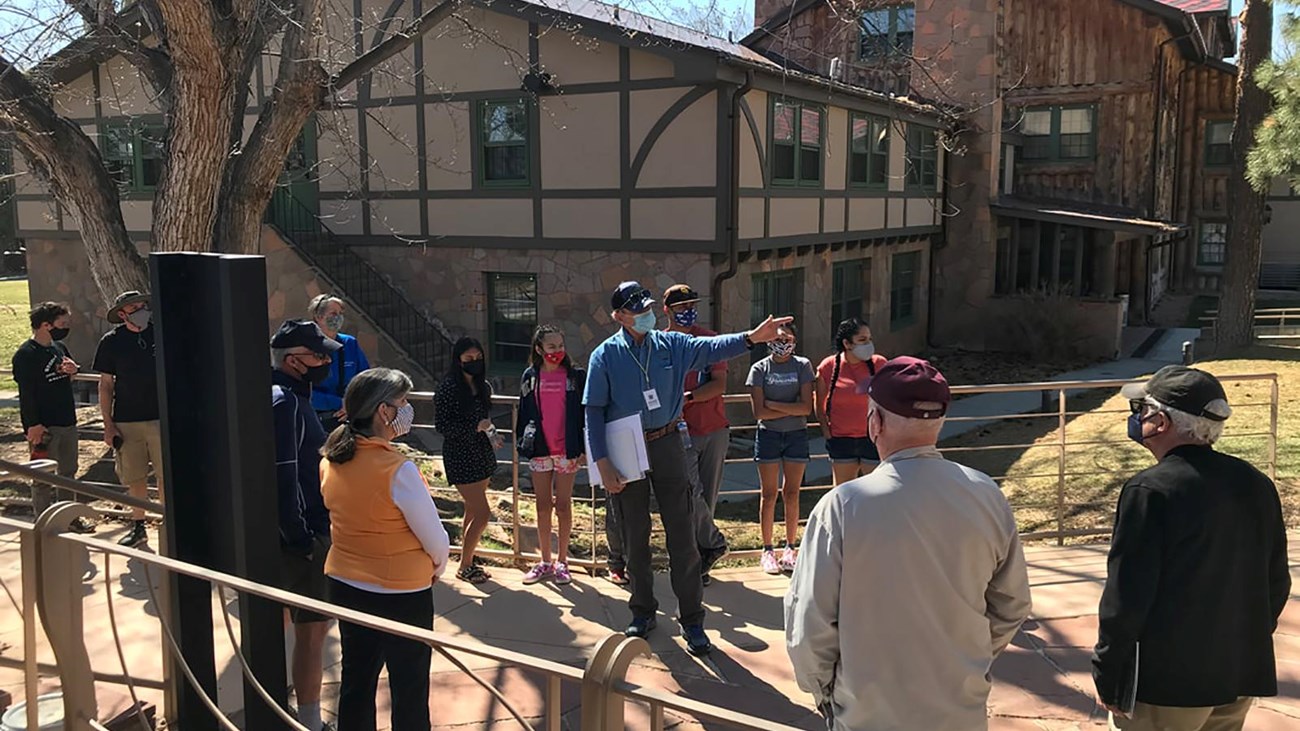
column 551, row 438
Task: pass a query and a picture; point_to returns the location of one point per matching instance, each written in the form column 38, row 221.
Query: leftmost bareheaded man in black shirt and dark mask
column 45, row 370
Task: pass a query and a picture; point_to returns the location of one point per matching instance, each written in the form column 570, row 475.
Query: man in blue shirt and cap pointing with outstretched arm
column 643, row 371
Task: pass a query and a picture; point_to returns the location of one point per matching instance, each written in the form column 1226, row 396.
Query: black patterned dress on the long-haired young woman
column 467, row 453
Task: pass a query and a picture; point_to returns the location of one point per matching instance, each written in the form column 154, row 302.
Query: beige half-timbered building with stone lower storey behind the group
column 525, row 158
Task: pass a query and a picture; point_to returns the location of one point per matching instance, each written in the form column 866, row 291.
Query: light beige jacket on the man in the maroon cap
column 911, row 582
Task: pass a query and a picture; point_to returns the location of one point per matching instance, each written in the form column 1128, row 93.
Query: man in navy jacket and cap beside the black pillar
column 302, row 356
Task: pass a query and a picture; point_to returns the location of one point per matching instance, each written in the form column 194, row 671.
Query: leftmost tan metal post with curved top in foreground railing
column 60, row 566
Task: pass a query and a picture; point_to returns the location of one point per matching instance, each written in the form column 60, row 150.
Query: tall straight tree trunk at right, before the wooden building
column 1236, row 325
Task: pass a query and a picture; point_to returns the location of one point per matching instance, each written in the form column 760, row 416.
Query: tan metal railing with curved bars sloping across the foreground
column 53, row 563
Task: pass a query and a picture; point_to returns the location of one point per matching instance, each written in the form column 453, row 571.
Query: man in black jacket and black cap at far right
column 1198, row 570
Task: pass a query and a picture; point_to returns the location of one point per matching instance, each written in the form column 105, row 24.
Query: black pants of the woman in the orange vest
column 367, row 651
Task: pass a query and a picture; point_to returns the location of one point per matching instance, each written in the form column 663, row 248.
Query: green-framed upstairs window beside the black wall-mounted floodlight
column 505, row 146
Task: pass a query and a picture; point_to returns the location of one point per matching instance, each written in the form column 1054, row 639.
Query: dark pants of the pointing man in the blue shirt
column 674, row 494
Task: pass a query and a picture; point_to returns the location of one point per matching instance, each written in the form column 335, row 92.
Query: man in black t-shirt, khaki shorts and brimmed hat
column 129, row 401
